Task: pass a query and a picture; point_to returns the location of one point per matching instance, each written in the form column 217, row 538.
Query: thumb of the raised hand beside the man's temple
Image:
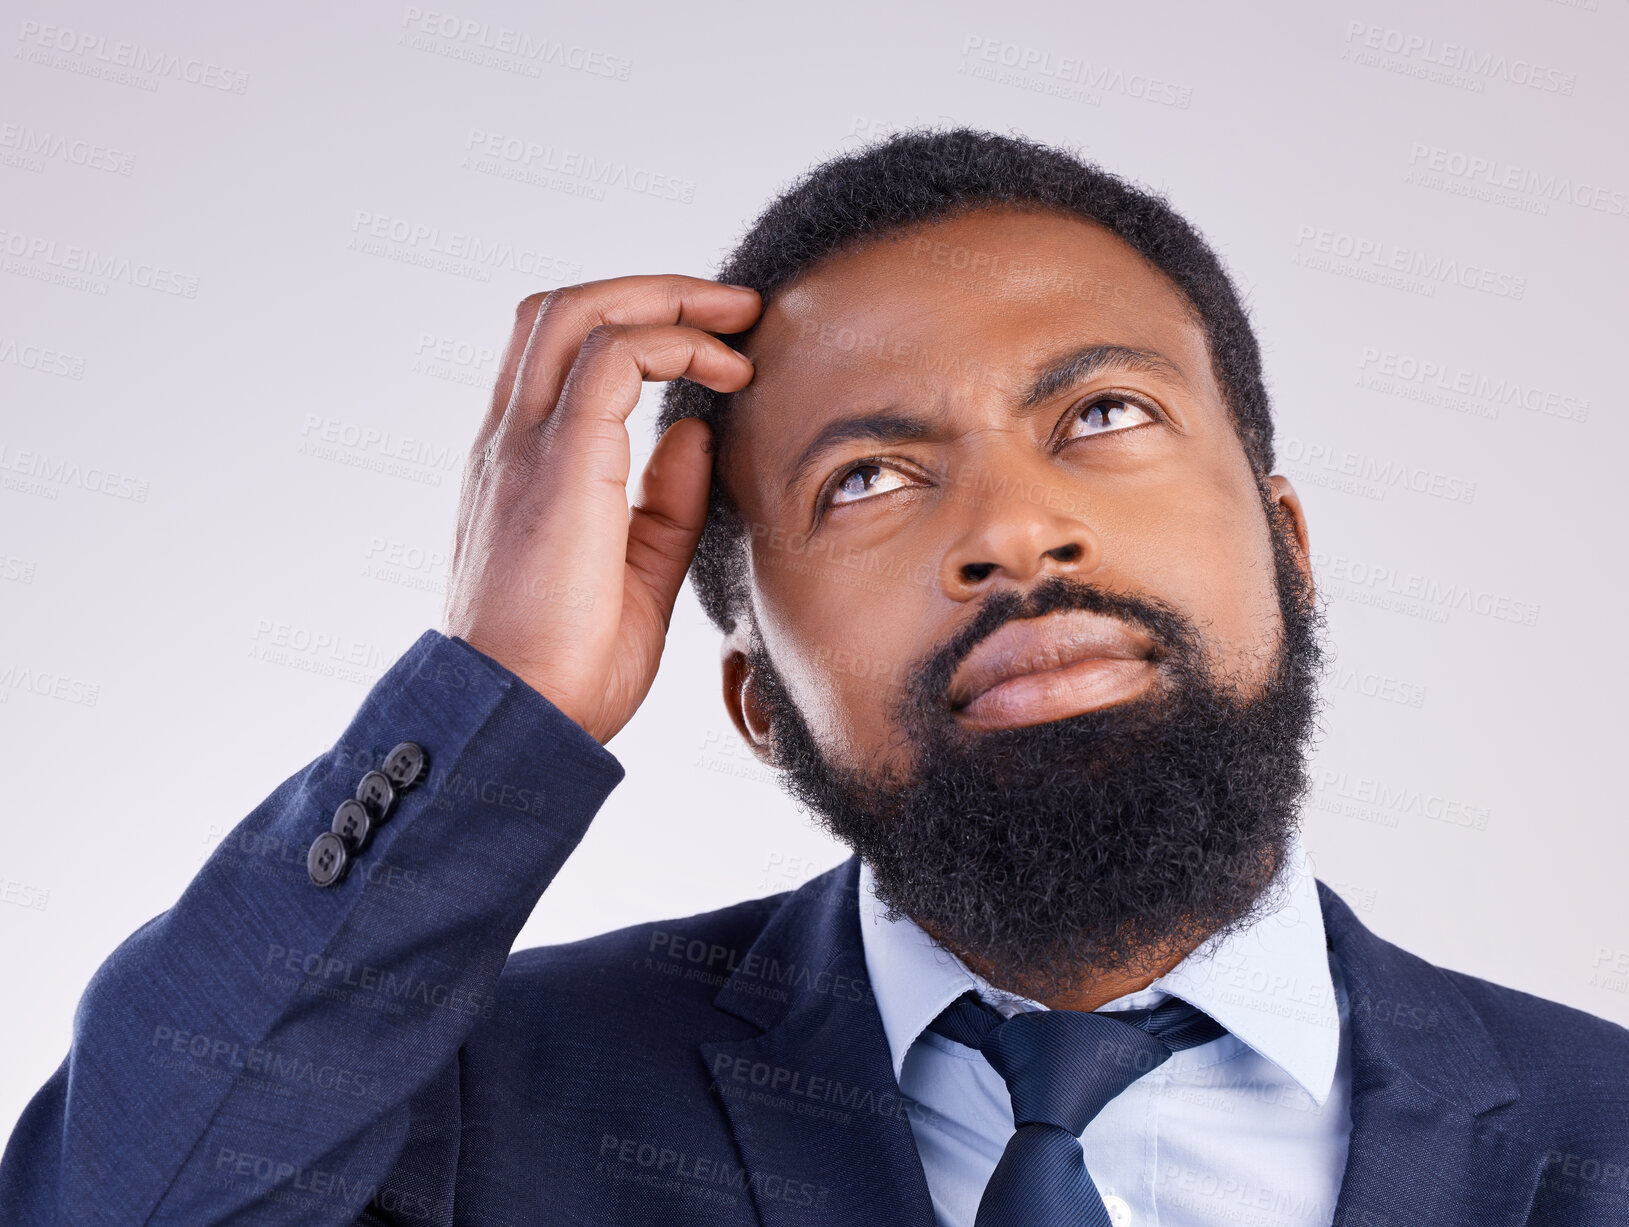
column 669, row 514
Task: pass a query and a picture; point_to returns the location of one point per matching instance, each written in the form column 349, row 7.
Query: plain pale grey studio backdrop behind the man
column 239, row 372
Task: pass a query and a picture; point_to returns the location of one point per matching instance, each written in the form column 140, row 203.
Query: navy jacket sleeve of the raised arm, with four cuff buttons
column 265, row 1050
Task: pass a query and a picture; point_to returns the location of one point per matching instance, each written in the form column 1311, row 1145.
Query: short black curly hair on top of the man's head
column 926, row 175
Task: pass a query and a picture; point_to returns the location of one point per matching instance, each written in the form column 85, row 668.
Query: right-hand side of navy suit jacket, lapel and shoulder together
column 1516, row 1104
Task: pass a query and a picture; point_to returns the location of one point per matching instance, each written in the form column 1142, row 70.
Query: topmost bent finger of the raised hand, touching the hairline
column 564, row 319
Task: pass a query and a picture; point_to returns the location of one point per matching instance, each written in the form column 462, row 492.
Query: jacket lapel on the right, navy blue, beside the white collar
column 1426, row 1081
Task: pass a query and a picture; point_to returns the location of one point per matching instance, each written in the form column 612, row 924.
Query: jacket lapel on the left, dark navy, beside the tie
column 814, row 1101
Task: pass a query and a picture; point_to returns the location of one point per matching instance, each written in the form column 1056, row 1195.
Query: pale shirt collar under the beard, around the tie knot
column 1267, row 983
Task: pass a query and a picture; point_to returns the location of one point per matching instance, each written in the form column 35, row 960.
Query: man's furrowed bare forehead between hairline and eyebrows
column 952, row 315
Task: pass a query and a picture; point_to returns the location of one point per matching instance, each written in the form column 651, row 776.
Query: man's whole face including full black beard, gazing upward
column 949, row 514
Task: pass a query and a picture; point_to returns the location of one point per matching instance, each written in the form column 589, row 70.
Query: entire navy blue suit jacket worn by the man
column 274, row 1052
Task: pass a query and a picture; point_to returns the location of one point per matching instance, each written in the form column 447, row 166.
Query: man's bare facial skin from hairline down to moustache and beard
column 877, row 550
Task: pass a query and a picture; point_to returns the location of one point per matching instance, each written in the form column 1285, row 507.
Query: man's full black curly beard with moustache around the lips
column 1053, row 855
